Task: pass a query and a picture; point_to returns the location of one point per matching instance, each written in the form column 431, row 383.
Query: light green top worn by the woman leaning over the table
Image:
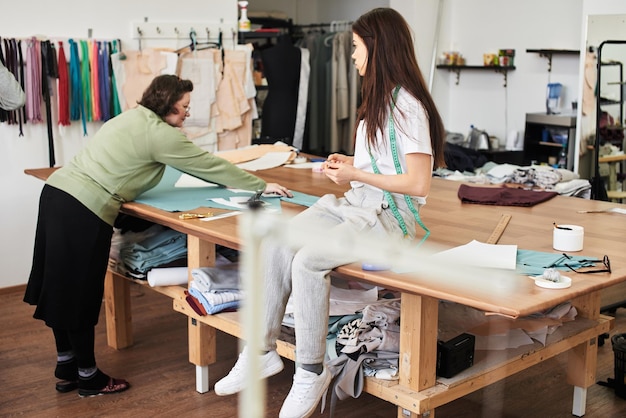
column 128, row 155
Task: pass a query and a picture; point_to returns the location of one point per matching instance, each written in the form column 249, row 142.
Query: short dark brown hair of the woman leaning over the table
column 163, row 93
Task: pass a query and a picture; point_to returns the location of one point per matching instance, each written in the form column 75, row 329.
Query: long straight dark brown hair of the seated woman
column 391, row 61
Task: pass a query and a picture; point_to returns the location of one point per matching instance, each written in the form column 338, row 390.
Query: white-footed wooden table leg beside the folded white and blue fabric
column 202, row 344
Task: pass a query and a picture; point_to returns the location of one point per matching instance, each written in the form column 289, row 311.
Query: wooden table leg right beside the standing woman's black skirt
column 118, row 313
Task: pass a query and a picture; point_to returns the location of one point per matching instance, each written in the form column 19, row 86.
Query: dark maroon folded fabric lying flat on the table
column 502, row 196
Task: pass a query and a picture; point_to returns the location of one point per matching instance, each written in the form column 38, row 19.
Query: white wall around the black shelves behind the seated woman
column 479, row 26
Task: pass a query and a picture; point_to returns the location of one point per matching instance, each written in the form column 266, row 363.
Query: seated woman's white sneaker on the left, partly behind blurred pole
column 235, row 381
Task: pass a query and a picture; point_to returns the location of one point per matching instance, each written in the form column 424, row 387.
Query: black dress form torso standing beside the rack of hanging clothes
column 281, row 65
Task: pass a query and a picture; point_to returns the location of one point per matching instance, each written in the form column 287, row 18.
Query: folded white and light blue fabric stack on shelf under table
column 216, row 288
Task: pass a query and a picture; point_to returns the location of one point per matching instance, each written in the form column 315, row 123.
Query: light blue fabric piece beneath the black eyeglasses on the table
column 534, row 263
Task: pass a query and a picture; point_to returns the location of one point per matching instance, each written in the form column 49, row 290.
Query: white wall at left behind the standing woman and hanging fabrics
column 18, row 213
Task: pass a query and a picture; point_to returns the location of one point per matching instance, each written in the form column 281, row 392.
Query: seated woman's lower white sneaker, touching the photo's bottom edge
column 307, row 390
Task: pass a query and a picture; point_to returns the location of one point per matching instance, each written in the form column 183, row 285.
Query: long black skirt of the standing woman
column 70, row 260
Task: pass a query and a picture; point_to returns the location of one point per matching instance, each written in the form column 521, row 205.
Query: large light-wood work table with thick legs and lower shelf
column 452, row 223
